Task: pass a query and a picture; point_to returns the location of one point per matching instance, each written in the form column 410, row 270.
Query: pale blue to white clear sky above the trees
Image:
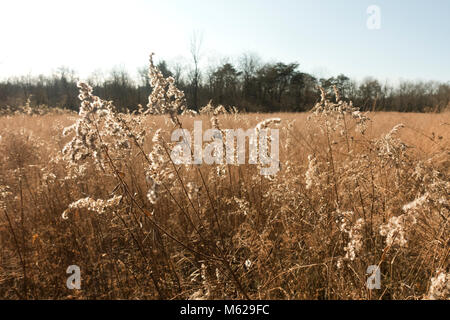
column 326, row 37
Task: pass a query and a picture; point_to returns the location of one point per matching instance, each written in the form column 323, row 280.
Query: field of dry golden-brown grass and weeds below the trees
column 342, row 201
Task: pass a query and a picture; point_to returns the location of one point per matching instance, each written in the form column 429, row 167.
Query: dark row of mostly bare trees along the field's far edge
column 248, row 84
